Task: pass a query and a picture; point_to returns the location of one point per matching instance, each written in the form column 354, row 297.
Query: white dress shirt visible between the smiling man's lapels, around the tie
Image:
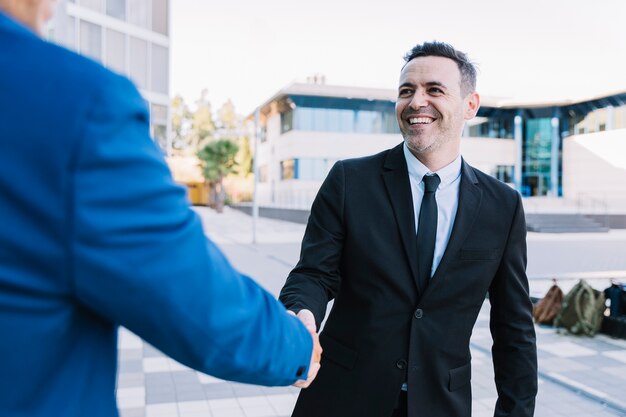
column 447, row 197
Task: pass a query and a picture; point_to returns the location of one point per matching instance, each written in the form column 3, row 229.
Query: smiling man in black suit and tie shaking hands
column 408, row 242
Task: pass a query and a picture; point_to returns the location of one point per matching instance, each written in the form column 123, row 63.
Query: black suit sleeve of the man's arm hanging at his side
column 512, row 328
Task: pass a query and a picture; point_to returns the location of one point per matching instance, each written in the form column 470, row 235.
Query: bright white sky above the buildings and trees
column 247, row 50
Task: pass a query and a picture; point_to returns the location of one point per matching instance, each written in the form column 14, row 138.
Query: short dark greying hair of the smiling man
column 442, row 49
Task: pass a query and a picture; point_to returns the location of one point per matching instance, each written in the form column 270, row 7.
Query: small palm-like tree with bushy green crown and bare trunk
column 218, row 160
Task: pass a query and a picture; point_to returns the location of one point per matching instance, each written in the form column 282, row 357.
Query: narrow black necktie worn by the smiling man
column 427, row 230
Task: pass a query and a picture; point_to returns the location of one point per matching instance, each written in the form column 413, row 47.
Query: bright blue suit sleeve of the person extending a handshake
column 140, row 257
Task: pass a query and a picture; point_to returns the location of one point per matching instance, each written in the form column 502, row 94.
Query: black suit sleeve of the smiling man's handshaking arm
column 316, row 279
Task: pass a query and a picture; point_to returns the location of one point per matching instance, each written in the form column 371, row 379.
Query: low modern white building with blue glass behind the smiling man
column 568, row 150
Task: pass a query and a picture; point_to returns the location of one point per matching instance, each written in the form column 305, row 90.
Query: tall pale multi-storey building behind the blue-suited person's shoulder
column 130, row 37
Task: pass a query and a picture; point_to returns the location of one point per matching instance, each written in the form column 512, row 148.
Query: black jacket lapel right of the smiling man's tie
column 470, row 196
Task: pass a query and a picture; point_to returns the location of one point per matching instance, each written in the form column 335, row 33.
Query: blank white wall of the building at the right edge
column 594, row 170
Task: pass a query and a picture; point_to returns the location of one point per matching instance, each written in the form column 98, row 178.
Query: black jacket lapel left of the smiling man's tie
column 396, row 178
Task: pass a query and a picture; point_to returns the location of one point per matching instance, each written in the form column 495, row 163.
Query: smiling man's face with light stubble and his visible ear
column 431, row 108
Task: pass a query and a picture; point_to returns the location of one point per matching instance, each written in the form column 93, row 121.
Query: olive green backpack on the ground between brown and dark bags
column 582, row 310
